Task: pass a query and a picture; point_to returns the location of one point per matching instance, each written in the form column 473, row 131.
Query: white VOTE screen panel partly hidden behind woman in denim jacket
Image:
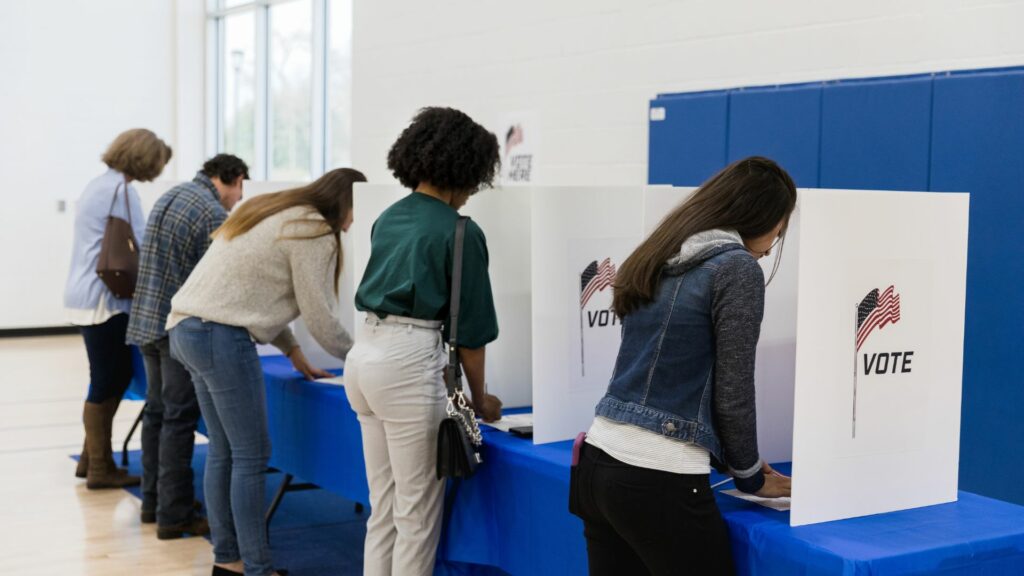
column 580, row 237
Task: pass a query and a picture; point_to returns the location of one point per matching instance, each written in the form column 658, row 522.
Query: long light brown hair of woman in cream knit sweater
column 331, row 195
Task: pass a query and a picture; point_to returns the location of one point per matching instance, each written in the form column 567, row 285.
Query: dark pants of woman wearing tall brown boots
column 110, row 359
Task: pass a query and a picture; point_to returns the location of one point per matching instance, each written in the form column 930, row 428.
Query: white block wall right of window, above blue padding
column 587, row 68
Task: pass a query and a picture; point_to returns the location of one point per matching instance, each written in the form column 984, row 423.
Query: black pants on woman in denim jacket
column 639, row 521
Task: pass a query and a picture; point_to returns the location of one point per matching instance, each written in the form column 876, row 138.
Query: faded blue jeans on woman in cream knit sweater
column 229, row 380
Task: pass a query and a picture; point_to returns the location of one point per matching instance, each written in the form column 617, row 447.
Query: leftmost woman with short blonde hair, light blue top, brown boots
column 135, row 155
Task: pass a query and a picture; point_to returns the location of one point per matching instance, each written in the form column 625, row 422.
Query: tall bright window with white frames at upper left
column 283, row 86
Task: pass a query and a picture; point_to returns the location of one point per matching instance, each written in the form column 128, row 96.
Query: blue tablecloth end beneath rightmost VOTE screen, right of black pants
column 975, row 536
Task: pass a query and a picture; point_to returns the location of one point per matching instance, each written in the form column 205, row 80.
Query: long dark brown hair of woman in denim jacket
column 751, row 196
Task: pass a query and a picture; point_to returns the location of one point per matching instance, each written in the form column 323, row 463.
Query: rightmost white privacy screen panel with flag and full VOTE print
column 880, row 348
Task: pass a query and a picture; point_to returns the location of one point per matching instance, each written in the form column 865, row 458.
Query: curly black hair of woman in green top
column 446, row 148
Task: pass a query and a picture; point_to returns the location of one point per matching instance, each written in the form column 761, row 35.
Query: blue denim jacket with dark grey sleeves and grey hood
column 686, row 365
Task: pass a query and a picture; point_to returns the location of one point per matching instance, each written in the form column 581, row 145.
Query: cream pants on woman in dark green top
column 395, row 382
